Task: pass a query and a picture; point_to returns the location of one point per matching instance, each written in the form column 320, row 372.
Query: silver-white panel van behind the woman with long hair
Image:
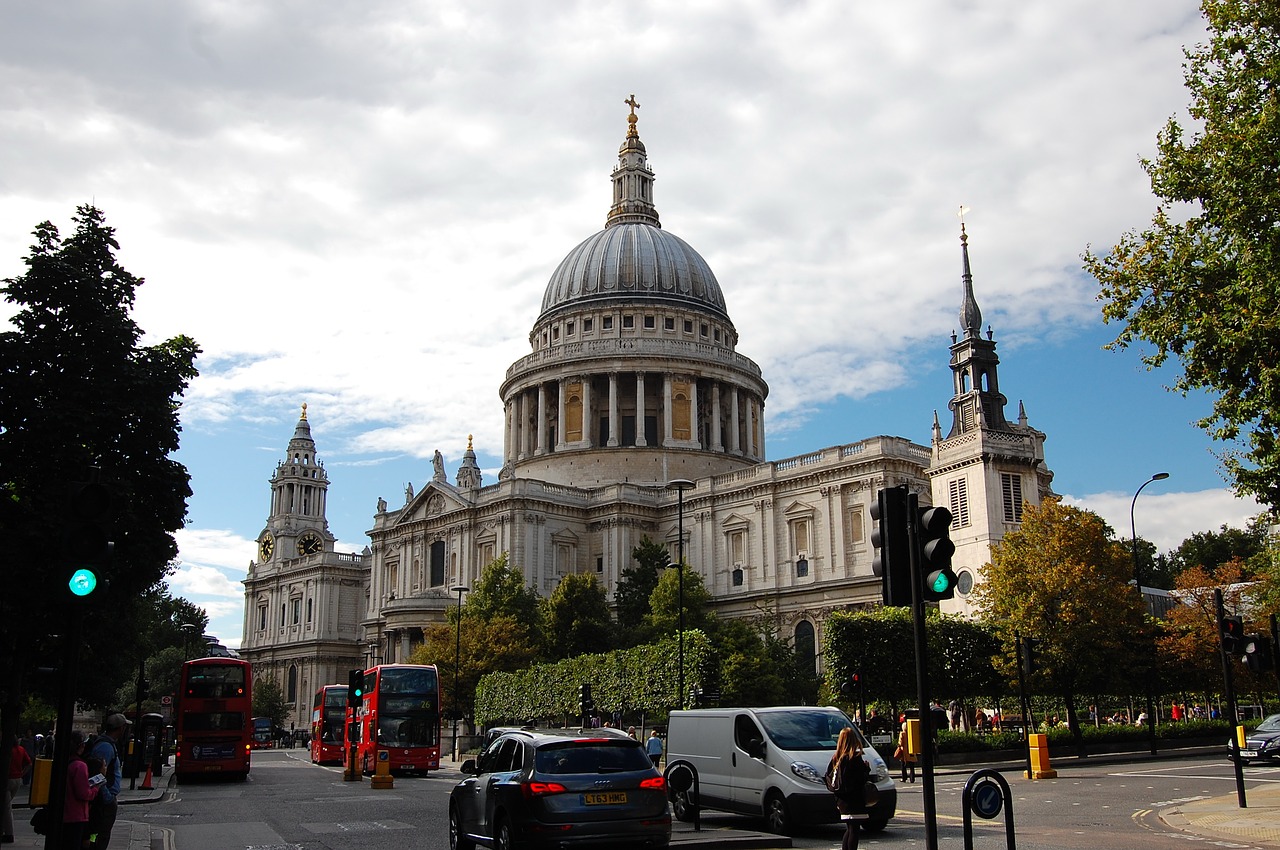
column 770, row 762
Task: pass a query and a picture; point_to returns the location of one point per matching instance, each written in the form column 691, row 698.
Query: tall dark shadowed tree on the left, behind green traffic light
column 81, row 395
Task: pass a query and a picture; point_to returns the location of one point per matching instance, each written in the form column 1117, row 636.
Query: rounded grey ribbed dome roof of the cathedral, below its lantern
column 627, row 262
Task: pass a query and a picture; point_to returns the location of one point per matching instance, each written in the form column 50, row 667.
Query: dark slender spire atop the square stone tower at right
column 977, row 403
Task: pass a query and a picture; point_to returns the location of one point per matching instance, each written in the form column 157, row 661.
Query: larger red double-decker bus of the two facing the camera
column 400, row 714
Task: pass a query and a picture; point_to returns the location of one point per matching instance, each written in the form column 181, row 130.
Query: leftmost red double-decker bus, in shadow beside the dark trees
column 214, row 719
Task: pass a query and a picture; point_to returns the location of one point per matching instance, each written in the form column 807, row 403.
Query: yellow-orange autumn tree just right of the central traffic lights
column 1062, row 579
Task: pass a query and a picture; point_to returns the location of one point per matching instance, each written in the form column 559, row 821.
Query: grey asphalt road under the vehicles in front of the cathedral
column 290, row 805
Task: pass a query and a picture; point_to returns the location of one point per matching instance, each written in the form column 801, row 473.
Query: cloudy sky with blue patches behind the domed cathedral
column 358, row 207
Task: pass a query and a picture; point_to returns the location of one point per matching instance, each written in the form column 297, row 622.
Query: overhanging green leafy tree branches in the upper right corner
column 1203, row 284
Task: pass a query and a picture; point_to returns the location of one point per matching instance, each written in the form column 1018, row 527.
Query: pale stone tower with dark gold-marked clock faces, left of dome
column 301, row 597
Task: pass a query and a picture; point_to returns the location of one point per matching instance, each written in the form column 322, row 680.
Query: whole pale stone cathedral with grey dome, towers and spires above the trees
column 634, row 382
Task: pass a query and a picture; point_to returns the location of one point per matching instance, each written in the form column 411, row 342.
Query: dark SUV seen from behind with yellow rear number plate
column 552, row 788
